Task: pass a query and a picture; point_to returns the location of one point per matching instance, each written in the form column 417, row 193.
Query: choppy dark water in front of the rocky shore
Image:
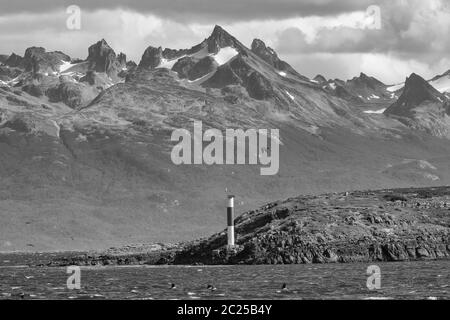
column 410, row 280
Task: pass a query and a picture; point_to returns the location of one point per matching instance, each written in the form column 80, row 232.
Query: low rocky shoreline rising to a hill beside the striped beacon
column 364, row 226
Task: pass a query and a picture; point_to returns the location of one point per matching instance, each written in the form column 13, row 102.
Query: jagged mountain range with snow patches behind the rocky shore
column 85, row 144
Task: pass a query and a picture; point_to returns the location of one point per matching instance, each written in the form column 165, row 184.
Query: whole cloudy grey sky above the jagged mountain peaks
column 388, row 39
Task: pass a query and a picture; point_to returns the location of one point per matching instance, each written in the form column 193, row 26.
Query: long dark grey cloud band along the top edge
column 198, row 10
